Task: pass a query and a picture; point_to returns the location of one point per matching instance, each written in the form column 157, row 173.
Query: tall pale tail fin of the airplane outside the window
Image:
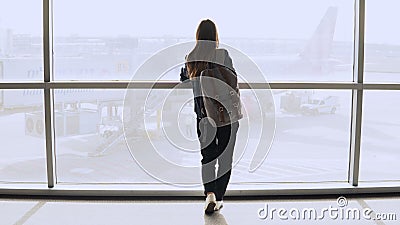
column 320, row 44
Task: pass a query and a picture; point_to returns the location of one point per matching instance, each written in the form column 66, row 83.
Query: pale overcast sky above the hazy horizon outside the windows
column 267, row 19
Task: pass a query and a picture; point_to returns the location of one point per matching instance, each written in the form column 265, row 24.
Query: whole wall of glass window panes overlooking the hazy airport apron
column 287, row 41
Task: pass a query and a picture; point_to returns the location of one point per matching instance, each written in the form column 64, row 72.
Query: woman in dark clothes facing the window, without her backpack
column 217, row 143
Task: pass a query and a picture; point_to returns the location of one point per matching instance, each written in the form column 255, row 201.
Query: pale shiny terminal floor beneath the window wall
column 189, row 212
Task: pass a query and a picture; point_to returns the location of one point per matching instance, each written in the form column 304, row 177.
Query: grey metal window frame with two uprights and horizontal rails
column 357, row 87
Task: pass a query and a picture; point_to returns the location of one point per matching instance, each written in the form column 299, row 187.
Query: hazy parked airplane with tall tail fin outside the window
column 315, row 57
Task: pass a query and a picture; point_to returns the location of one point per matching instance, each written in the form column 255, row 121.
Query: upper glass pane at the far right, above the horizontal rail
column 382, row 48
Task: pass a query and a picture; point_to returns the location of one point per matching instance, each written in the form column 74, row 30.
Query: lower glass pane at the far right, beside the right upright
column 380, row 136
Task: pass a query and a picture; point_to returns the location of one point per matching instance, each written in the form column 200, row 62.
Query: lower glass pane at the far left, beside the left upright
column 22, row 153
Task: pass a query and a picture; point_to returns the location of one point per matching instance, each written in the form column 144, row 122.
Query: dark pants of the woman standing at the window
column 217, row 145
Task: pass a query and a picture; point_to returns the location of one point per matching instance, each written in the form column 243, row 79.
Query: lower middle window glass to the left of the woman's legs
column 107, row 137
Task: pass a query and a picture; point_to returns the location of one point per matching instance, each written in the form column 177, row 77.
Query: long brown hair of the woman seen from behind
column 206, row 43
